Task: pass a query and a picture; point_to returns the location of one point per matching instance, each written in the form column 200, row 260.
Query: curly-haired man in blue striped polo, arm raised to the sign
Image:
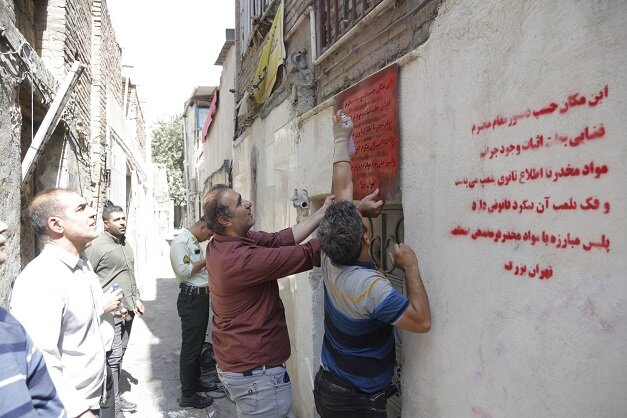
column 360, row 305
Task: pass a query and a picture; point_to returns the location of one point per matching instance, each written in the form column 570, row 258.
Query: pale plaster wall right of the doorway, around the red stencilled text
column 502, row 345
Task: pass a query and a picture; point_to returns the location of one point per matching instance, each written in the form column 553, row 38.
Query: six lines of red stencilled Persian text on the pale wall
column 588, row 134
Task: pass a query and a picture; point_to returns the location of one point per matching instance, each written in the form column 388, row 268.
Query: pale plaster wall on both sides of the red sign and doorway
column 503, row 343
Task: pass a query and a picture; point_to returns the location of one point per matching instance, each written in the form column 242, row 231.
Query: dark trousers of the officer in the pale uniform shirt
column 194, row 313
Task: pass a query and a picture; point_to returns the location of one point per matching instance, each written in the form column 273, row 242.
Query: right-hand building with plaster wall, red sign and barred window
column 508, row 183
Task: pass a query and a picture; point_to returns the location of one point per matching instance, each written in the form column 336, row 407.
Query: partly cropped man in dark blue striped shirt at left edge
column 26, row 389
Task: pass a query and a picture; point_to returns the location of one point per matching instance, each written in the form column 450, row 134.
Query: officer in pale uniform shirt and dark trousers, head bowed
column 188, row 263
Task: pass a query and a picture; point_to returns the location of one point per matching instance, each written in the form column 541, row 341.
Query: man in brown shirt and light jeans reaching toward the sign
column 250, row 337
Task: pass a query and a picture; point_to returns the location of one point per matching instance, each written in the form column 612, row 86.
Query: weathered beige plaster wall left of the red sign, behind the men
column 266, row 170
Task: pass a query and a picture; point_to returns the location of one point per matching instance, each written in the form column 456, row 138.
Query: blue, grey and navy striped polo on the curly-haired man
column 360, row 309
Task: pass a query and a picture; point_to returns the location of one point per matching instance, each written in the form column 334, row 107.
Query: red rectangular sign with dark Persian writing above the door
column 373, row 106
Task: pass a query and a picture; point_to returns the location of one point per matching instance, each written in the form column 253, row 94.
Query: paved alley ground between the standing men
column 150, row 370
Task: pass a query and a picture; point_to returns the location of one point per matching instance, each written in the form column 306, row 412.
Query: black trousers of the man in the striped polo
column 336, row 399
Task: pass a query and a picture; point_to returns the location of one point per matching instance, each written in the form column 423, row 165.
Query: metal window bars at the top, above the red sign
column 336, row 17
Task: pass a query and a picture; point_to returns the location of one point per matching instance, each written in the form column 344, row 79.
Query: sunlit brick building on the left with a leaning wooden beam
column 60, row 62
